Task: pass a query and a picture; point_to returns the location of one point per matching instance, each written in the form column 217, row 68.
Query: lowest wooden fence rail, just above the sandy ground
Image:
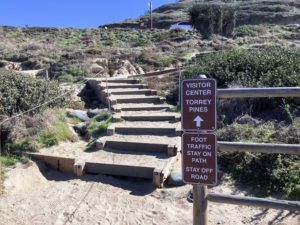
column 256, row 202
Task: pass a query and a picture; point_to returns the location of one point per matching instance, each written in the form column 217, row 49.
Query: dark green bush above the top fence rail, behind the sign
column 269, row 66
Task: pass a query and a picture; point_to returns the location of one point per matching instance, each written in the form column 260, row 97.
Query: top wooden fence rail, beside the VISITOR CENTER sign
column 282, row 92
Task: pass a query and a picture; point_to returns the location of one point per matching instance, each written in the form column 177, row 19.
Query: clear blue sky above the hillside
column 71, row 13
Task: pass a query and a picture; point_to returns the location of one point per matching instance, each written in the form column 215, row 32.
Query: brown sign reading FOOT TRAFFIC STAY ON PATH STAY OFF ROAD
column 199, row 158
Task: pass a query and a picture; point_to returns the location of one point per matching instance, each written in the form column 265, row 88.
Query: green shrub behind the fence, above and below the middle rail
column 268, row 173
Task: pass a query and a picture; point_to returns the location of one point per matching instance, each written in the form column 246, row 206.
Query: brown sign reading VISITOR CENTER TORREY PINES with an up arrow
column 198, row 104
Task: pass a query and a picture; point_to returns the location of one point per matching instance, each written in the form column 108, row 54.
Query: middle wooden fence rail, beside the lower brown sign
column 257, row 147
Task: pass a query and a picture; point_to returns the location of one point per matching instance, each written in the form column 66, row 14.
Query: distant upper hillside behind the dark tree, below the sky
column 249, row 12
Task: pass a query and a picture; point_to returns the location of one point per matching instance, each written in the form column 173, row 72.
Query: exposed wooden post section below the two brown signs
column 200, row 204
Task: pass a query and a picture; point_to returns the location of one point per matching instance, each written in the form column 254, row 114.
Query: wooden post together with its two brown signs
column 199, row 149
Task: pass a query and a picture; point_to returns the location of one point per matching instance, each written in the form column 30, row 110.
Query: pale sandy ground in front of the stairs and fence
column 37, row 195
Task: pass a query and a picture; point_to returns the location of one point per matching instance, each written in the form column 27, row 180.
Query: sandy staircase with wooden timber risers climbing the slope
column 142, row 140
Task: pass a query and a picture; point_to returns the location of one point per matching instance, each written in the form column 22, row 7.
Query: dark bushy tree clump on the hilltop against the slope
column 213, row 18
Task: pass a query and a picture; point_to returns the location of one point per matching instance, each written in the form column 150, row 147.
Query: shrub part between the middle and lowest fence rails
column 268, row 173
